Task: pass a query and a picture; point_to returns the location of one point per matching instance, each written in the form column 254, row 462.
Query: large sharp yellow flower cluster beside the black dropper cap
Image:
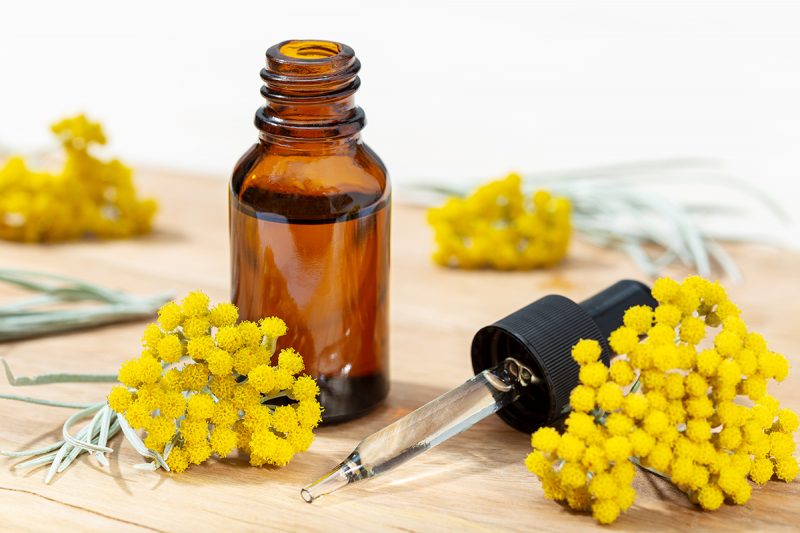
column 685, row 414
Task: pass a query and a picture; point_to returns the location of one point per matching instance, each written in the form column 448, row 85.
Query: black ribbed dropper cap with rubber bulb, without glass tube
column 541, row 336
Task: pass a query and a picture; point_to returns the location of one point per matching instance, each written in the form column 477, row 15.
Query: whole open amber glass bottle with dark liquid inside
column 309, row 223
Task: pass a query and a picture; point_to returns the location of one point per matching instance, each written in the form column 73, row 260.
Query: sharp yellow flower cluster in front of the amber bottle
column 206, row 385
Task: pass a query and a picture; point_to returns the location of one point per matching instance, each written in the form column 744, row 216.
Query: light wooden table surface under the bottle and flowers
column 476, row 481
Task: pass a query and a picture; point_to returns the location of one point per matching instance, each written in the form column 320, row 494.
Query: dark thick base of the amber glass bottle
column 348, row 398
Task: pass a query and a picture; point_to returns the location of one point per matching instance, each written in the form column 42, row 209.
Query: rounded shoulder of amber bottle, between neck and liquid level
column 308, row 185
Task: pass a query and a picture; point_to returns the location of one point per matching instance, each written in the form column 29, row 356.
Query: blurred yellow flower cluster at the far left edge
column 88, row 196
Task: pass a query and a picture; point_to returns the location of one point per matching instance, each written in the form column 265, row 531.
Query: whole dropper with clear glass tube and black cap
column 524, row 373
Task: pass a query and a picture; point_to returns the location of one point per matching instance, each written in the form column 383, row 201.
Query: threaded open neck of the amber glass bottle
column 309, row 87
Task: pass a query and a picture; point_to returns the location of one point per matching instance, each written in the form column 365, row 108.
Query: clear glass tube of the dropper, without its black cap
column 428, row 426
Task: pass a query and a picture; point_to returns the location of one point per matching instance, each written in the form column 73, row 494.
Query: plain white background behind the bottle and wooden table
column 452, row 90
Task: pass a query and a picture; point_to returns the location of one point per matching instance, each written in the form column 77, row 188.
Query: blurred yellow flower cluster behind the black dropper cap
column 498, row 227
